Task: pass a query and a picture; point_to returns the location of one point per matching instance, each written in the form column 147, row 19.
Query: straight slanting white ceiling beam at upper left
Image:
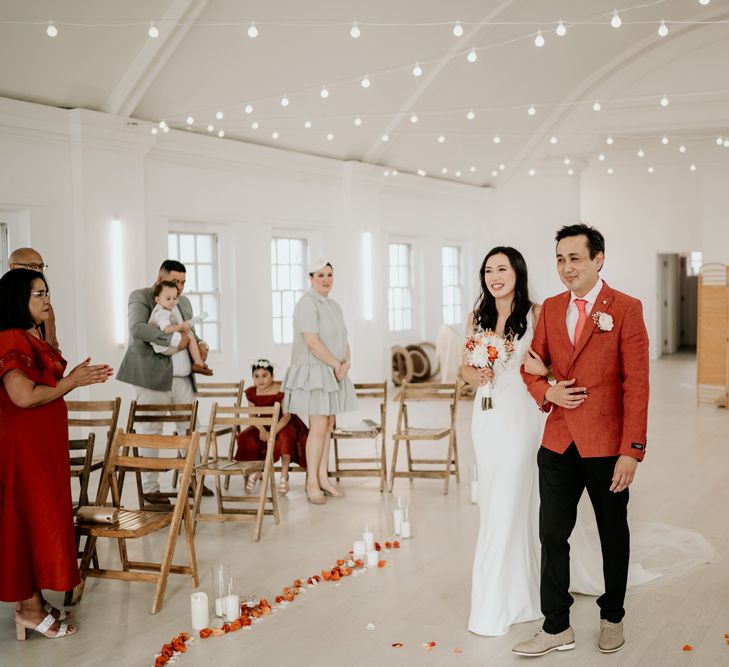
column 144, row 69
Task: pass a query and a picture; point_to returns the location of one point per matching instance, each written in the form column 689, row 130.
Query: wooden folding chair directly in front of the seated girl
column 266, row 502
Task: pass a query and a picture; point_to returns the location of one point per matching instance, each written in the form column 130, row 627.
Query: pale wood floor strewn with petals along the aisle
column 422, row 594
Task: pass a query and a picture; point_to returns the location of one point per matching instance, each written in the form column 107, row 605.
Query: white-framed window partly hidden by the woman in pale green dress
column 288, row 284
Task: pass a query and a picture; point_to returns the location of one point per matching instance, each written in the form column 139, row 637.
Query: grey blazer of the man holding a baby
column 141, row 365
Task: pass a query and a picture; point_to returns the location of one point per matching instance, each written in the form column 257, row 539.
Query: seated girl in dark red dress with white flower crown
column 291, row 432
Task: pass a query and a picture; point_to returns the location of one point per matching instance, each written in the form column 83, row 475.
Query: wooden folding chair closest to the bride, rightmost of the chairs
column 404, row 431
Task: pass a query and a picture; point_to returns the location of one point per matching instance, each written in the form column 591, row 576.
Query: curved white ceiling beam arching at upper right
column 587, row 87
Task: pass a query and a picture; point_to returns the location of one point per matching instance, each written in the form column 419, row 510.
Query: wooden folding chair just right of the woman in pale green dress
column 366, row 430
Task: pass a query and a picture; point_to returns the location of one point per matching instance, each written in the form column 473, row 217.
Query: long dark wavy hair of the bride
column 484, row 310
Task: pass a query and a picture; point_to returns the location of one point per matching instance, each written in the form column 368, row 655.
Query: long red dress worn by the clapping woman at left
column 37, row 547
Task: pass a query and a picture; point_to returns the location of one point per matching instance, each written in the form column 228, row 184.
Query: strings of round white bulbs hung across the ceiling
column 237, row 115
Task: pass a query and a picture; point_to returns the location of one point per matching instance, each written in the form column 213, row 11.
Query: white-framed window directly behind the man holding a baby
column 198, row 251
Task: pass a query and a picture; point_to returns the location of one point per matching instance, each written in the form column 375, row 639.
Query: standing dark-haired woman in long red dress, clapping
column 37, row 549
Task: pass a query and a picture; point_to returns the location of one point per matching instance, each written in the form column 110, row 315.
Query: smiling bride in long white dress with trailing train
column 505, row 584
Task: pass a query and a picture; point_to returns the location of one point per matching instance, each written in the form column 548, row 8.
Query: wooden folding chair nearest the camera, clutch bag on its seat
column 133, row 524
